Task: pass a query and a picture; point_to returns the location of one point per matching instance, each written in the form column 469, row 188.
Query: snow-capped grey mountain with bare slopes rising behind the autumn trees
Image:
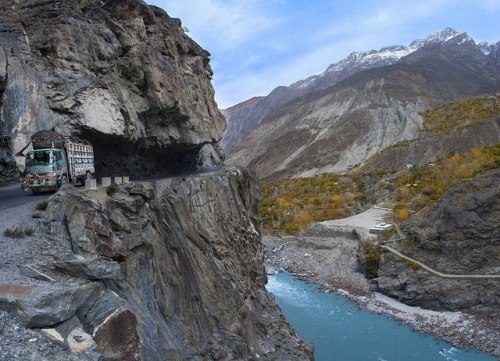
column 358, row 106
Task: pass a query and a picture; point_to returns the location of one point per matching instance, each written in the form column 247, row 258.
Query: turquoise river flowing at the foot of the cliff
column 341, row 331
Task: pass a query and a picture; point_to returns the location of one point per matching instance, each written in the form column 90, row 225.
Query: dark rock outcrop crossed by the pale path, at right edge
column 459, row 234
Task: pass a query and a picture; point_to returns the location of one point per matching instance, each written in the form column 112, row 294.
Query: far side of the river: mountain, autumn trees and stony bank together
column 404, row 137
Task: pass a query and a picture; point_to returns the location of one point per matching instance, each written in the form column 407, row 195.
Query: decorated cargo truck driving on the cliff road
column 56, row 160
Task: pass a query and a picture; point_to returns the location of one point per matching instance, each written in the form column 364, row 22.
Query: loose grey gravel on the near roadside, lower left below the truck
column 36, row 250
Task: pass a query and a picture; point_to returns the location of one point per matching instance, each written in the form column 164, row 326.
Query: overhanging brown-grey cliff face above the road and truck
column 120, row 73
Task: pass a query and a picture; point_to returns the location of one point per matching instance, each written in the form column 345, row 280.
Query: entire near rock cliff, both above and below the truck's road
column 163, row 270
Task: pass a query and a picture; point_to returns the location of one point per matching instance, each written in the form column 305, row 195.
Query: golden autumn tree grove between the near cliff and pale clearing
column 290, row 205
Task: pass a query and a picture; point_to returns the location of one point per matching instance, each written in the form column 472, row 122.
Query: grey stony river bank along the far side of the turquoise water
column 331, row 261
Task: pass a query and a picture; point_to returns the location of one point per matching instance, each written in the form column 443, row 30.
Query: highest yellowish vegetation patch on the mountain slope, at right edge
column 455, row 116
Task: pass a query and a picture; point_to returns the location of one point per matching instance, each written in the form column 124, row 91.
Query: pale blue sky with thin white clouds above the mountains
column 257, row 45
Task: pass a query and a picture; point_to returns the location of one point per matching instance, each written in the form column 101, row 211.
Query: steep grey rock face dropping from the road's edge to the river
column 191, row 280
